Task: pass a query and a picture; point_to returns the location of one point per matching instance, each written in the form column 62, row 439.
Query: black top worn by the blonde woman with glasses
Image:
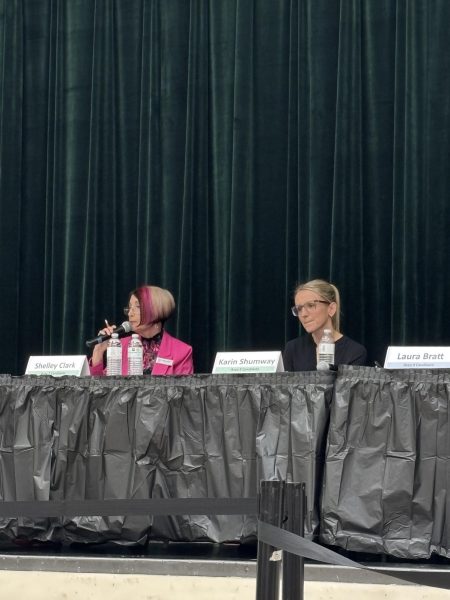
column 300, row 354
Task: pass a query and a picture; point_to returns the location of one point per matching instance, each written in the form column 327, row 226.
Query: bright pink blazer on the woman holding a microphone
column 174, row 358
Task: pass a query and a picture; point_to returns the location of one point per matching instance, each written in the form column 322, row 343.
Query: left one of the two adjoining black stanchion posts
column 270, row 511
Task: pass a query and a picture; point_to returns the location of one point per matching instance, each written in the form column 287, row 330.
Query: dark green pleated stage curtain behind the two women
column 224, row 149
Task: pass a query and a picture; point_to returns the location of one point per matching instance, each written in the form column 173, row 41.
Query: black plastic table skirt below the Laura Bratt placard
column 387, row 477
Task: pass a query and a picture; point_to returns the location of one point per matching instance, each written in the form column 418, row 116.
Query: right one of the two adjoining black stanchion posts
column 293, row 566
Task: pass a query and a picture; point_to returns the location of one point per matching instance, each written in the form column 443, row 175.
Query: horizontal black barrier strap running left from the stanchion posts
column 107, row 508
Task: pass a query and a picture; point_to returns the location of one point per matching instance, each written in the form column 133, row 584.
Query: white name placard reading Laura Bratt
column 417, row 357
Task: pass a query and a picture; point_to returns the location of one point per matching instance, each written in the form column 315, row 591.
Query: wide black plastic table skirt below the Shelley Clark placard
column 164, row 437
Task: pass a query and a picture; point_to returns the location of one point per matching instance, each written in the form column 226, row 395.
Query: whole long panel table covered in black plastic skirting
column 371, row 445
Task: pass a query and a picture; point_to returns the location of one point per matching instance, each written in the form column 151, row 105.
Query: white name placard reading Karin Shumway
column 248, row 362
